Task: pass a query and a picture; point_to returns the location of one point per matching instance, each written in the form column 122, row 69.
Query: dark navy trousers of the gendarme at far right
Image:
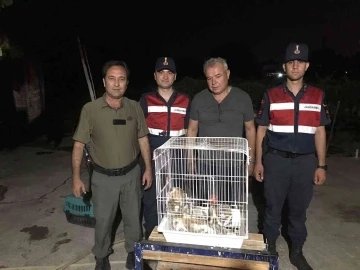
column 291, row 179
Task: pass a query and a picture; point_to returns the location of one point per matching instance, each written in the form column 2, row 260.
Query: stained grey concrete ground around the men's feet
column 34, row 180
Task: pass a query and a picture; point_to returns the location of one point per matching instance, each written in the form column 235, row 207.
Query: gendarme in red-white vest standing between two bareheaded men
column 165, row 118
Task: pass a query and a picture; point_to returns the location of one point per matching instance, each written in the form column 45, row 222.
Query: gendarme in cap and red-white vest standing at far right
column 292, row 122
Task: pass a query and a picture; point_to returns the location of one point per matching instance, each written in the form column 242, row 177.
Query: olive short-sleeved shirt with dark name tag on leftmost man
column 113, row 144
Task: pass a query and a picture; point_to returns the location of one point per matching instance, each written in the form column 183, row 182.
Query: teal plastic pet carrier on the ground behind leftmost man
column 78, row 212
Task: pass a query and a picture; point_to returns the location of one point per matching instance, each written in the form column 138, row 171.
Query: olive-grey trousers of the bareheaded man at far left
column 109, row 192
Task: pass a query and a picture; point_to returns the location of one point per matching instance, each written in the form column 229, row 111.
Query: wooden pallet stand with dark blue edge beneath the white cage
column 252, row 256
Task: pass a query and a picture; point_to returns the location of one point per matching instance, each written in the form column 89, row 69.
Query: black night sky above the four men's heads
column 138, row 31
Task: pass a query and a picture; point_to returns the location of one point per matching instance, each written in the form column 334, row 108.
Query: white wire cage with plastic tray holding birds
column 202, row 190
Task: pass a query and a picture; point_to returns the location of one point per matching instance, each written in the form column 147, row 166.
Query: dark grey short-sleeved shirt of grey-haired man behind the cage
column 224, row 119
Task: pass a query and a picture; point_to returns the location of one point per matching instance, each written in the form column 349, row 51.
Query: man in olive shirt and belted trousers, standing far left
column 116, row 131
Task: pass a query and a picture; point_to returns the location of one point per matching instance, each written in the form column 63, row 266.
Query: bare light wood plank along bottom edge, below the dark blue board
column 204, row 260
